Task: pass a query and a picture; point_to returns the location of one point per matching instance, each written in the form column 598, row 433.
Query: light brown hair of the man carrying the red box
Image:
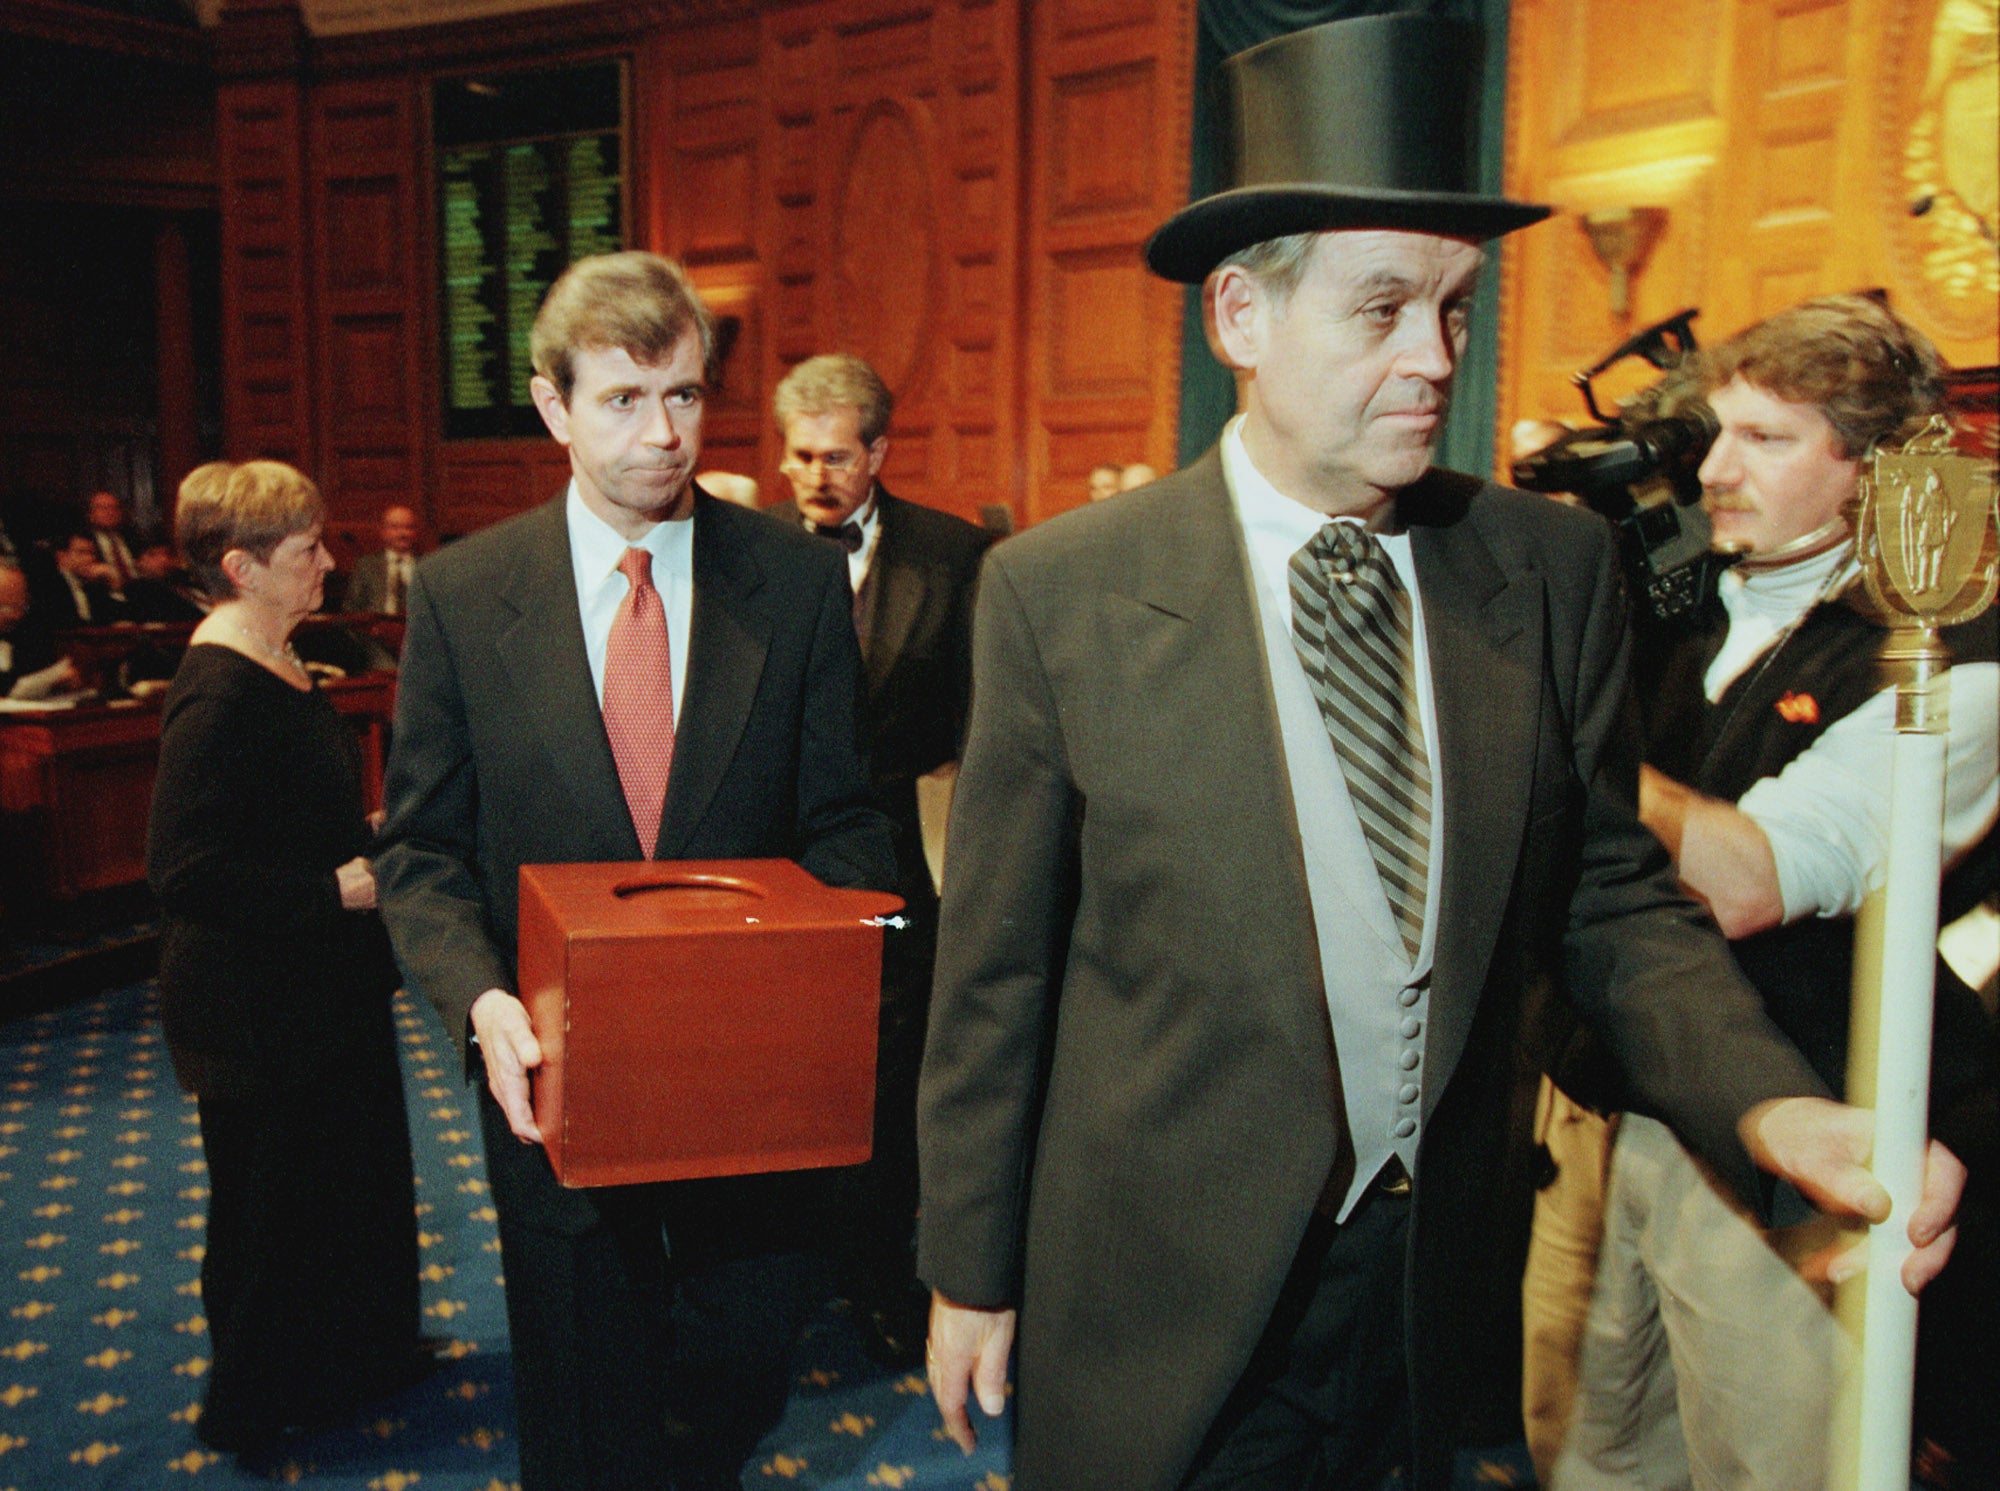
column 629, row 303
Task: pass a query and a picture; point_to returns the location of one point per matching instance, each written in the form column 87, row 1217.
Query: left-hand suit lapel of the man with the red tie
column 543, row 651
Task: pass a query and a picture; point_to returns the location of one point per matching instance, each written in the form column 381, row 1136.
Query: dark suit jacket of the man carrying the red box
column 501, row 754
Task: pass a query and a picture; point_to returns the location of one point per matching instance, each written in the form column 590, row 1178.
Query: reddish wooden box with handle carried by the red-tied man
column 701, row 1018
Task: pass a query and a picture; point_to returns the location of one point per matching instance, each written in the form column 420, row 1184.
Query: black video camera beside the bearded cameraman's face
column 1639, row 469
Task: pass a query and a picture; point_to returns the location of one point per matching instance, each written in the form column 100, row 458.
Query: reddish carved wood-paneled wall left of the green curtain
column 953, row 189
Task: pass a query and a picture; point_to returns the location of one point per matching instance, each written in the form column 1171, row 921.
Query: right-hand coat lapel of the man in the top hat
column 1485, row 645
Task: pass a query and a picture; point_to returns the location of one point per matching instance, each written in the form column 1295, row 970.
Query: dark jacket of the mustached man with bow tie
column 917, row 661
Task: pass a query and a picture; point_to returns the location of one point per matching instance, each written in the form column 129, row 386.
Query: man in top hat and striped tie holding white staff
column 1293, row 782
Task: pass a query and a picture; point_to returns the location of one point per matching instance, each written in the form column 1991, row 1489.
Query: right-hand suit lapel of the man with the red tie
column 725, row 663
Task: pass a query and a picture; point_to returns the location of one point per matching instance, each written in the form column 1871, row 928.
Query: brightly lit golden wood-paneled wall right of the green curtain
column 1785, row 141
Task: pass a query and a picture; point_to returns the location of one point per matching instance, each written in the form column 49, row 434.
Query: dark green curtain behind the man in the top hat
column 1229, row 27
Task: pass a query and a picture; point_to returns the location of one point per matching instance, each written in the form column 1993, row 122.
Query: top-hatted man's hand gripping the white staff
column 1823, row 1148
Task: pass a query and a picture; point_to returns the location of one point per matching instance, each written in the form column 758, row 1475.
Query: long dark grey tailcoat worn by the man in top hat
column 1131, row 1104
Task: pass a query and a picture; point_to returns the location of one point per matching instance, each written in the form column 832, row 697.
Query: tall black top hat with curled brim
column 1351, row 125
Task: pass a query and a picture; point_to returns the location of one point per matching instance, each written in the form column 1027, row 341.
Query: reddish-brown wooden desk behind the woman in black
column 77, row 784
